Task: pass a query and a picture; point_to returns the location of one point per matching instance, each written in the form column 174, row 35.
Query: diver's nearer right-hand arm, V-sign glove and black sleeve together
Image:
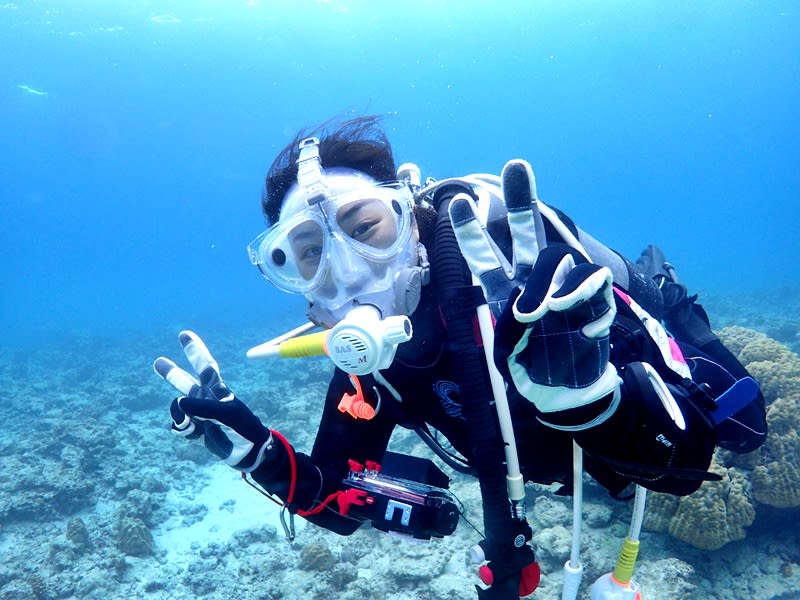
column 554, row 312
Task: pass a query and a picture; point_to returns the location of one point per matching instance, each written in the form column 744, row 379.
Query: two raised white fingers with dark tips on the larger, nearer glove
column 497, row 277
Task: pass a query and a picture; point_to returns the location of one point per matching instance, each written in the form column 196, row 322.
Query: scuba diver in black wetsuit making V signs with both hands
column 592, row 347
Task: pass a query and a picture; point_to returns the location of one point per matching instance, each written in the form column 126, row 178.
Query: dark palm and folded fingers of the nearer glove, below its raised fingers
column 552, row 339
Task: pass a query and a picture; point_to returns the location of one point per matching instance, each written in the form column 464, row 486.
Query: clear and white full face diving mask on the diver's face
column 342, row 240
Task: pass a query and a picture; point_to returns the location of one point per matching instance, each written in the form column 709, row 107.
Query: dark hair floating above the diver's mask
column 359, row 144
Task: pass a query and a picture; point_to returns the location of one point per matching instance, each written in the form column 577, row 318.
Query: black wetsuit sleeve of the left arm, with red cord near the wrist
column 340, row 437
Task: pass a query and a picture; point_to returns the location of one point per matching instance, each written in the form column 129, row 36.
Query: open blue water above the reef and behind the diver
column 135, row 136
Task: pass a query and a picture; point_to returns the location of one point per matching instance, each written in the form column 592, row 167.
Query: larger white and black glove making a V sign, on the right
column 553, row 308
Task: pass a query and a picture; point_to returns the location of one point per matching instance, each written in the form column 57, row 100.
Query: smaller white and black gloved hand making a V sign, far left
column 208, row 409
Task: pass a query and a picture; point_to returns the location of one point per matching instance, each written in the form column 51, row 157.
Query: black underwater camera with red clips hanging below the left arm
column 403, row 494
